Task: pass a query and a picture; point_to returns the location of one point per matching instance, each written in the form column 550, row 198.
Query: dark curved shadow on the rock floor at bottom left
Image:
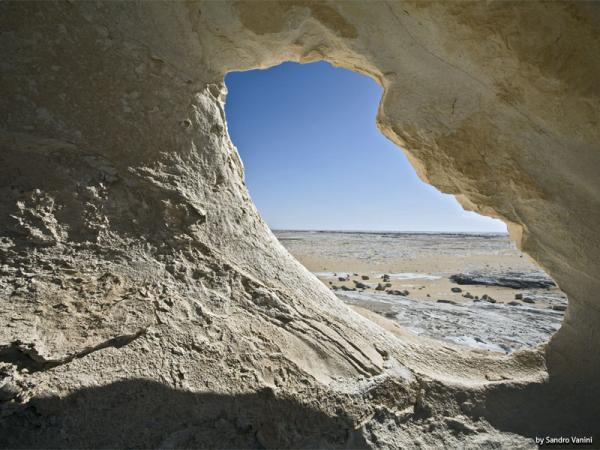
column 145, row 414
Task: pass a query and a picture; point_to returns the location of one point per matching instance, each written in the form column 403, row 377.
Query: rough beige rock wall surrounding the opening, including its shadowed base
column 146, row 304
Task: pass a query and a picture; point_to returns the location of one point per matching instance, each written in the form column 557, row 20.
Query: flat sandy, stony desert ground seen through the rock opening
column 430, row 304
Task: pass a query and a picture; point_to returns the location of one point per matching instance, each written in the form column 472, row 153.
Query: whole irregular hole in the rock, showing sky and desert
column 347, row 204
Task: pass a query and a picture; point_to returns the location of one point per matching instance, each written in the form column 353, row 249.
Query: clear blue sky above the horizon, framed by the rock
column 315, row 160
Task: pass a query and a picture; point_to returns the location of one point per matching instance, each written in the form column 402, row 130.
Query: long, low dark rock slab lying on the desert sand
column 515, row 280
